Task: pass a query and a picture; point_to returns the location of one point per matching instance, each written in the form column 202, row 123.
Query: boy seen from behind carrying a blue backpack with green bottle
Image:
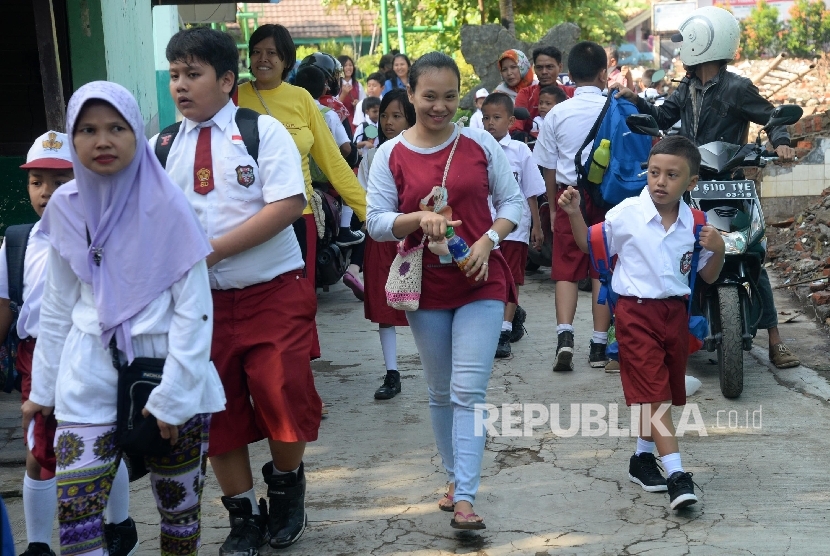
column 563, row 132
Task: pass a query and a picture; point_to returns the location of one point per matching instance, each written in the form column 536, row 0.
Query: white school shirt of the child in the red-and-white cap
column 34, row 274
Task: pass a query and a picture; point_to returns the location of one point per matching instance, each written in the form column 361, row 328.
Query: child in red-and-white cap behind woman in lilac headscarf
column 49, row 165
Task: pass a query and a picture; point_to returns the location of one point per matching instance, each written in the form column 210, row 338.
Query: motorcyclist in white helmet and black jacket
column 714, row 104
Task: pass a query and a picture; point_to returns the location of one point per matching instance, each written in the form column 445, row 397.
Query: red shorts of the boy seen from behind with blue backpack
column 570, row 264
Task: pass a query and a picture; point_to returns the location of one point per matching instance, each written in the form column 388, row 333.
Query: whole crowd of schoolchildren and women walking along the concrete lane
column 186, row 248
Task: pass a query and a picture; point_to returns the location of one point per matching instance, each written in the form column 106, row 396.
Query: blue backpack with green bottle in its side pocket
column 624, row 177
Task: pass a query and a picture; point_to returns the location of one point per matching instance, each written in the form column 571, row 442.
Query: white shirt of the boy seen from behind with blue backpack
column 564, row 129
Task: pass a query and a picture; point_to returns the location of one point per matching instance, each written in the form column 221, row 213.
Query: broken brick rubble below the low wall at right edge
column 799, row 248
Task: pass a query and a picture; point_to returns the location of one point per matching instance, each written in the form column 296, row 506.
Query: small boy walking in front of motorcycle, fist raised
column 650, row 234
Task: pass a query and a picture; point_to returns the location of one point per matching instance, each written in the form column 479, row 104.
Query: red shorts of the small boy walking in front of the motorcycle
column 653, row 336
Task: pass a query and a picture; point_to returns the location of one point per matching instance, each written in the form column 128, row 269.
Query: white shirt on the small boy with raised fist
column 653, row 263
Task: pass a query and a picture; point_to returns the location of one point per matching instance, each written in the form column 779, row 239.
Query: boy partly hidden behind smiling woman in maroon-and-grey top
column 497, row 110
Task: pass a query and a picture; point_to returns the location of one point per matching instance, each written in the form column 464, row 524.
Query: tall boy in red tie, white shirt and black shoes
column 261, row 342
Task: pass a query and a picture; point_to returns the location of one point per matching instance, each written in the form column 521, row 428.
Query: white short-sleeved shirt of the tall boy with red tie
column 277, row 176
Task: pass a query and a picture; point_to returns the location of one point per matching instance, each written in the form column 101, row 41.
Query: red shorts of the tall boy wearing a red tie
column 262, row 336
